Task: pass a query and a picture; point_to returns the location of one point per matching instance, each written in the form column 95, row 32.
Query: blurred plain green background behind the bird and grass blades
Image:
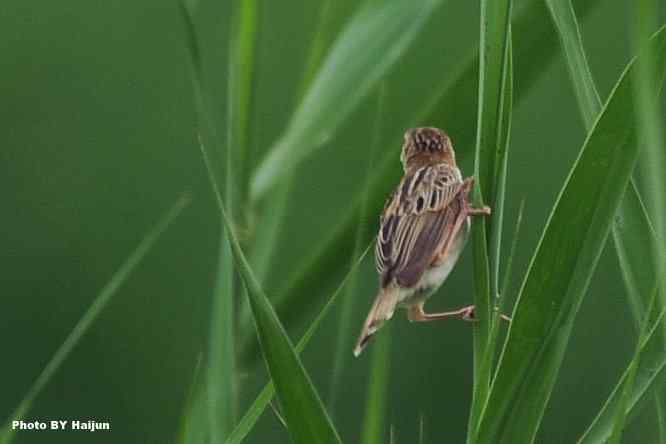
column 98, row 138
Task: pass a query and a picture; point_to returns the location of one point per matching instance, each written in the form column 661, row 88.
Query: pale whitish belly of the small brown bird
column 434, row 277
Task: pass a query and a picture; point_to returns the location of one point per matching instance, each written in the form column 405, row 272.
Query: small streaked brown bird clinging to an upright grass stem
column 423, row 230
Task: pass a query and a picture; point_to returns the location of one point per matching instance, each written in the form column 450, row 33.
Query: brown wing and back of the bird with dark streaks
column 417, row 219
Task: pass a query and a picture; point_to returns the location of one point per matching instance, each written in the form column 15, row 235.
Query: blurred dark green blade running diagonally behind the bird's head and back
column 533, row 47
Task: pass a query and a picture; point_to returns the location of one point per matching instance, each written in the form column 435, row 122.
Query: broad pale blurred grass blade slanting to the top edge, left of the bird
column 364, row 52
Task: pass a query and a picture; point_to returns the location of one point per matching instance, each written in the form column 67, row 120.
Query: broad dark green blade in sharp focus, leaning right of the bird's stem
column 561, row 268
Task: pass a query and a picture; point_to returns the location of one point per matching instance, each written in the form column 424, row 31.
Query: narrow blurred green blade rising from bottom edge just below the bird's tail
column 376, row 401
